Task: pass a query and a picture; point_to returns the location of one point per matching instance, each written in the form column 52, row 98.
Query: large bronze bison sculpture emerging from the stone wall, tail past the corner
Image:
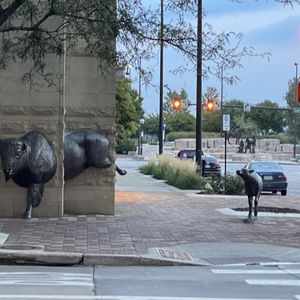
column 30, row 160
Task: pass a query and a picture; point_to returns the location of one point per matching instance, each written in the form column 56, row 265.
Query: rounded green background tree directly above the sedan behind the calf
column 268, row 121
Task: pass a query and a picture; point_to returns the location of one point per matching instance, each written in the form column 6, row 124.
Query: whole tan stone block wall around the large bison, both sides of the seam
column 81, row 98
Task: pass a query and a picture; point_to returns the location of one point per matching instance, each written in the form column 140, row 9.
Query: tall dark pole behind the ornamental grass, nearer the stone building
column 161, row 81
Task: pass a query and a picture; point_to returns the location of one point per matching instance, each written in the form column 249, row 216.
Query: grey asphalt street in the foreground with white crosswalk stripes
column 247, row 282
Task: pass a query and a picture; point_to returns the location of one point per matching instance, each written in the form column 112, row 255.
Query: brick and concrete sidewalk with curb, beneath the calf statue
column 157, row 224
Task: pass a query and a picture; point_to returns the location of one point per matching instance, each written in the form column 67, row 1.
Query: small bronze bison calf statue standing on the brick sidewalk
column 253, row 188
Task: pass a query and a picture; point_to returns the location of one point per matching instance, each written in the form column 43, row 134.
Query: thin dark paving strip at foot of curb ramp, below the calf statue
column 238, row 260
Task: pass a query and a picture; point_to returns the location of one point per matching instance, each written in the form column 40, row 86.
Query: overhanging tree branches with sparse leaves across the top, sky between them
column 30, row 29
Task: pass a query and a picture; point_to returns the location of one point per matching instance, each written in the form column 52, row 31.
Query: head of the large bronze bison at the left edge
column 12, row 153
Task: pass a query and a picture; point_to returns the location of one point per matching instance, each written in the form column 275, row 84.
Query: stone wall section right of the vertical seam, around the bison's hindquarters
column 90, row 103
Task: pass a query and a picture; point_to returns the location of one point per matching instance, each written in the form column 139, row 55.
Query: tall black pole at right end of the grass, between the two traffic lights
column 199, row 89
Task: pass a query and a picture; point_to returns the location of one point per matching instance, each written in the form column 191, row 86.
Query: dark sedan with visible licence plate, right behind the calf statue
column 272, row 175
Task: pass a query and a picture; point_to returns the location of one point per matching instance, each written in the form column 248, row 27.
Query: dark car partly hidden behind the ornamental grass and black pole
column 211, row 164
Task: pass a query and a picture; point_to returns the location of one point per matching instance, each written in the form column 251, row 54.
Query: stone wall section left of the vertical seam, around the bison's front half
column 25, row 107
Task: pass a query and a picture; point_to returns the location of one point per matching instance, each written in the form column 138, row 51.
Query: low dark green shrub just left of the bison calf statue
column 234, row 184
